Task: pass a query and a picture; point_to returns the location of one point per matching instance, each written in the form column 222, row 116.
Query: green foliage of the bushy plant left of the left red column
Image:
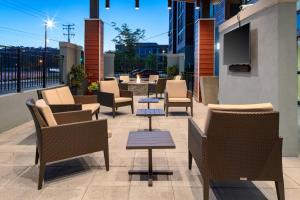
column 77, row 75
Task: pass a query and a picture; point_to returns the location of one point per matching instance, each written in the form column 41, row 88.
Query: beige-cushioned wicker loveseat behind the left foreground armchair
column 60, row 99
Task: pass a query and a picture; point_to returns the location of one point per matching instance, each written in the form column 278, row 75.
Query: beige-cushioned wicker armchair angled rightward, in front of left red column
column 111, row 96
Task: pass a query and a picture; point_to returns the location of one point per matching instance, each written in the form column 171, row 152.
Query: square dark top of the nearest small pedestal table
column 150, row 140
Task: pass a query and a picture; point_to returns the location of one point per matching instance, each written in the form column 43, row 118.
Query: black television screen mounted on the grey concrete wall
column 237, row 46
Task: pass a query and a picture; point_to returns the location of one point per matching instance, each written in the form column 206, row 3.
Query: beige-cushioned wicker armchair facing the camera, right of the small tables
column 177, row 95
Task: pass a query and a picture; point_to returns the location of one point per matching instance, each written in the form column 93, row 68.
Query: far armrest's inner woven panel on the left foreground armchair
column 73, row 117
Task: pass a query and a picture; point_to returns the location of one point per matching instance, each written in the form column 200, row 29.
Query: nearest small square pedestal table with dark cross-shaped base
column 150, row 141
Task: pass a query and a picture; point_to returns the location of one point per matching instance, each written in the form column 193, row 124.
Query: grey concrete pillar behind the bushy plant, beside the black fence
column 72, row 55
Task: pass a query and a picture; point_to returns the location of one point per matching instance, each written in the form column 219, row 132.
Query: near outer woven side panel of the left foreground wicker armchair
column 69, row 140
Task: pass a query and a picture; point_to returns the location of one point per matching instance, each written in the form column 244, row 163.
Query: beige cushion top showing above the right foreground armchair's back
column 263, row 107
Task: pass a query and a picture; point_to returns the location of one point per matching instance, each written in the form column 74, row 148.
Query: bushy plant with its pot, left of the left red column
column 77, row 80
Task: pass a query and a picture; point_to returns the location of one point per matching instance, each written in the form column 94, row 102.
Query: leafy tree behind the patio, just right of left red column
column 125, row 58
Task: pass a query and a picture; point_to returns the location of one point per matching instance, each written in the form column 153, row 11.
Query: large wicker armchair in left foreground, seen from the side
column 66, row 135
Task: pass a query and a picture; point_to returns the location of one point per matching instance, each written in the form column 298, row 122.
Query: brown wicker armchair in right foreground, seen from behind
column 237, row 143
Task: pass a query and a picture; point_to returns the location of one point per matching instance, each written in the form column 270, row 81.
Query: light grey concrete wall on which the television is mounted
column 273, row 77
